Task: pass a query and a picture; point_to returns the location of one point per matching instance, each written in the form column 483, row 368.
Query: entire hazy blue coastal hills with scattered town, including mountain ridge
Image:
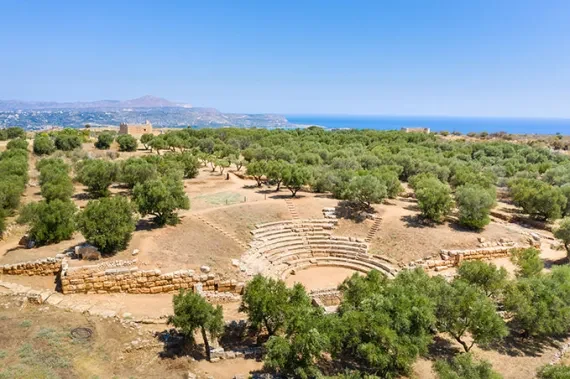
column 160, row 112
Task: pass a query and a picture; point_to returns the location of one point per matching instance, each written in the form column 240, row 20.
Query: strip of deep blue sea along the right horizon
column 460, row 124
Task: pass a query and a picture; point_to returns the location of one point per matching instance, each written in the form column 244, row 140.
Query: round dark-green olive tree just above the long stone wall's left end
column 107, row 223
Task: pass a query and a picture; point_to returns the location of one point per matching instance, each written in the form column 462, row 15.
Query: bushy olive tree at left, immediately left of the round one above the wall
column 49, row 222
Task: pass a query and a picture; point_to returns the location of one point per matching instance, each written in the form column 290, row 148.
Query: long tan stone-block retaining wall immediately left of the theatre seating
column 92, row 279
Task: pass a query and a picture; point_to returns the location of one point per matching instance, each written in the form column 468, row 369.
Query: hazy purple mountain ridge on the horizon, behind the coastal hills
column 141, row 102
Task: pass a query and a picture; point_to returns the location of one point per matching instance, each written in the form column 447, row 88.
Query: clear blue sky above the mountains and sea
column 400, row 57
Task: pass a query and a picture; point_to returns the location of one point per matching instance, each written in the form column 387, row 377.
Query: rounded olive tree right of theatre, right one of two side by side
column 474, row 203
